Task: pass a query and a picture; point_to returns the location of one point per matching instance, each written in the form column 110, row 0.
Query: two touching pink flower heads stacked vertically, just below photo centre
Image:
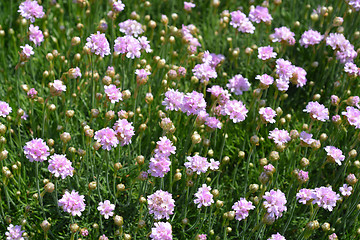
column 160, row 163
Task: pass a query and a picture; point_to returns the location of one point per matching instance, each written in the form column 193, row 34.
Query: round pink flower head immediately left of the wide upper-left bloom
column 98, row 44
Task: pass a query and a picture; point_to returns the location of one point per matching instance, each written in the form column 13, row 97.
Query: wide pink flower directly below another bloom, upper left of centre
column 128, row 45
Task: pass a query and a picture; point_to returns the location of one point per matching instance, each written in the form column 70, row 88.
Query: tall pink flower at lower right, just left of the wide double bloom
column 275, row 203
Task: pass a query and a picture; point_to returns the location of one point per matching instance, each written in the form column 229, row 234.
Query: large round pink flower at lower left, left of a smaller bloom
column 72, row 203
